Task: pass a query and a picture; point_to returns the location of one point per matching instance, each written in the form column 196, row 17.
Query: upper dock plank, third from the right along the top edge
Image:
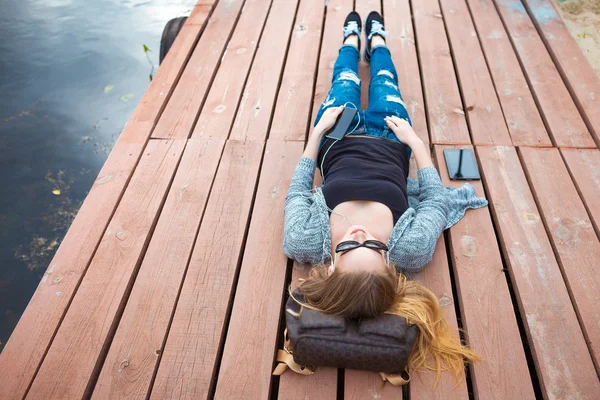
column 520, row 111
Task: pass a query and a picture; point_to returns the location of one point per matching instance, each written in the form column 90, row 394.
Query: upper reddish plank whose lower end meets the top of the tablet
column 446, row 117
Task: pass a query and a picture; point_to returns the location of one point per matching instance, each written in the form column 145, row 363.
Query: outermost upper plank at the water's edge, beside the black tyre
column 161, row 87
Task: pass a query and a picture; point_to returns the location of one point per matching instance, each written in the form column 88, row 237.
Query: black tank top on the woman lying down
column 359, row 168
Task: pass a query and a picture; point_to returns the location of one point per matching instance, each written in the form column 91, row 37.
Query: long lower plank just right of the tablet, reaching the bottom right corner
column 562, row 360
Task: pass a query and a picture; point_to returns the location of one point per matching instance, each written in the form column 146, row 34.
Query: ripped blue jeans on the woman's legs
column 384, row 95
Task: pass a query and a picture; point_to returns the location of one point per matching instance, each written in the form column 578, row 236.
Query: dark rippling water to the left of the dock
column 71, row 74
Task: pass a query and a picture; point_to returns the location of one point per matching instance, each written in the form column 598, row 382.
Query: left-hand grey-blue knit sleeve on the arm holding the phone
column 302, row 233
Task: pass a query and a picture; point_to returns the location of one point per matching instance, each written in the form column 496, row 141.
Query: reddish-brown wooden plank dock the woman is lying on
column 170, row 282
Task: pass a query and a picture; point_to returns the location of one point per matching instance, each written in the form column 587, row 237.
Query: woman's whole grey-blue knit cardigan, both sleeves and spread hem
column 432, row 208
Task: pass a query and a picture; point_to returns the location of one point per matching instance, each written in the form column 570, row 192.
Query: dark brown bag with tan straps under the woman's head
column 381, row 344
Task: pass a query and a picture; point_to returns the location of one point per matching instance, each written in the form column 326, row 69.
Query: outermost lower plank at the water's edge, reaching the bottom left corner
column 33, row 334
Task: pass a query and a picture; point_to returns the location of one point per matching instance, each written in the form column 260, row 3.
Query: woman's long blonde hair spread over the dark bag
column 372, row 293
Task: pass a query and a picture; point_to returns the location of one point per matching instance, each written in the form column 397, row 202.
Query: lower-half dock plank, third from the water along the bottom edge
column 142, row 329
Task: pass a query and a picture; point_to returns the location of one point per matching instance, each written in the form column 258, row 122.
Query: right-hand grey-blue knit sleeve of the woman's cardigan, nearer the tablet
column 414, row 249
